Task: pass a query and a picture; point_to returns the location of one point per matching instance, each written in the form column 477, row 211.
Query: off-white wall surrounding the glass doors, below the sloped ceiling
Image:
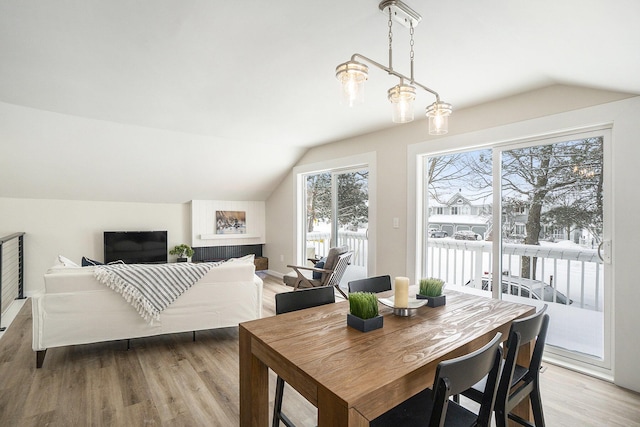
column 394, row 247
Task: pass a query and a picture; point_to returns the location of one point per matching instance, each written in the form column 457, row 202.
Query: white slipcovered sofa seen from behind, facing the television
column 75, row 308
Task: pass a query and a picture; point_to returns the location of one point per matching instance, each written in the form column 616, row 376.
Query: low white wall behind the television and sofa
column 74, row 228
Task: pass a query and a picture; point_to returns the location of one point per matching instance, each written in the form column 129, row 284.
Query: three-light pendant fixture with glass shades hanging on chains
column 354, row 73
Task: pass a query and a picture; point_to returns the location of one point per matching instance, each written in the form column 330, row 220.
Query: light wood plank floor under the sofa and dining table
column 173, row 381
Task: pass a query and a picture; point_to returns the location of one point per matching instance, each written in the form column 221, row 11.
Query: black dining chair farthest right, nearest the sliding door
column 519, row 382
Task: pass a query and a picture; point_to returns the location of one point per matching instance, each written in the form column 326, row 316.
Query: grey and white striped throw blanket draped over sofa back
column 150, row 288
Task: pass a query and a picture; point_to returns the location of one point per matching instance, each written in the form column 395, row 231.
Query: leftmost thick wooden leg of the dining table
column 254, row 385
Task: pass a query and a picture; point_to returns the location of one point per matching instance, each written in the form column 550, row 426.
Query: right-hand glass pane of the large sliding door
column 551, row 226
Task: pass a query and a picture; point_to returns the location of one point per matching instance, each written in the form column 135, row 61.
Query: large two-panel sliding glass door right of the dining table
column 525, row 221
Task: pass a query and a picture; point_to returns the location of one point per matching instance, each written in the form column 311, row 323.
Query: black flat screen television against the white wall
column 135, row 247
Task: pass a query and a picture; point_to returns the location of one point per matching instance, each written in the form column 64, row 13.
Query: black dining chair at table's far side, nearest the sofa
column 293, row 301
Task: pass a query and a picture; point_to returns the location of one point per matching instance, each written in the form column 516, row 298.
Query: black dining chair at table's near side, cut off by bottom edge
column 432, row 407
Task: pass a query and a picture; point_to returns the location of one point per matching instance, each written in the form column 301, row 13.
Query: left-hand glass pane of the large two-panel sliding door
column 459, row 197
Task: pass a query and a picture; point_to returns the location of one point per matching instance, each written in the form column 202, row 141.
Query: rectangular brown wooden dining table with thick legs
column 353, row 377
